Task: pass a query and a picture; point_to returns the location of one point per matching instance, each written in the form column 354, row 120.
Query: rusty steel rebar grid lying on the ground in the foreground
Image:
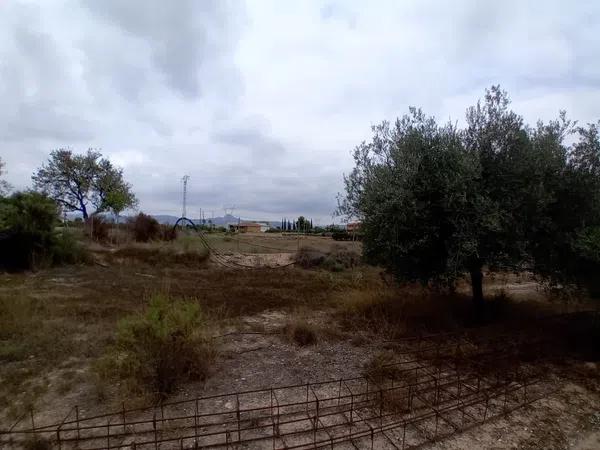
column 442, row 387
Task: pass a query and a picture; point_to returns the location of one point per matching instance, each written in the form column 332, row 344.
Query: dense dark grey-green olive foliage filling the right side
column 437, row 202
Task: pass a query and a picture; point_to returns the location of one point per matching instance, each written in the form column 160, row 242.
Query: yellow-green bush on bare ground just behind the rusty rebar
column 153, row 351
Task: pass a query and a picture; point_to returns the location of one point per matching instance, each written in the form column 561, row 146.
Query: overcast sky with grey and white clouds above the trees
column 261, row 102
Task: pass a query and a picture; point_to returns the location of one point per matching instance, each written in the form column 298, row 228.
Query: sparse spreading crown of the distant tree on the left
column 77, row 181
